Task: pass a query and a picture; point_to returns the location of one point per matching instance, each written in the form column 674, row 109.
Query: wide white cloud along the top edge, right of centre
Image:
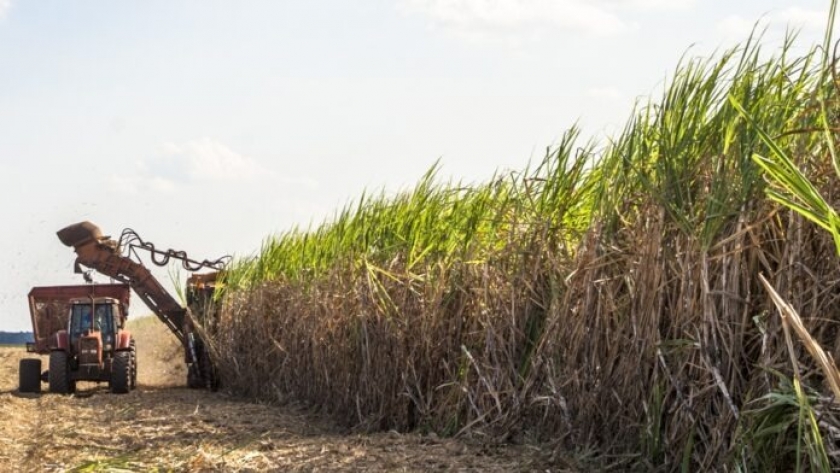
column 516, row 20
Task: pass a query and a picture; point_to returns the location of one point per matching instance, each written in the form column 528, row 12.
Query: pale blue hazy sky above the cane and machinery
column 209, row 125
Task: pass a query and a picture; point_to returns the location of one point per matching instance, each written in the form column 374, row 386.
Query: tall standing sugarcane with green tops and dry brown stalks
column 605, row 297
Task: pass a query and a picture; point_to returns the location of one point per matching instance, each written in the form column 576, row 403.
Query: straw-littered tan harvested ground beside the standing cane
column 162, row 426
